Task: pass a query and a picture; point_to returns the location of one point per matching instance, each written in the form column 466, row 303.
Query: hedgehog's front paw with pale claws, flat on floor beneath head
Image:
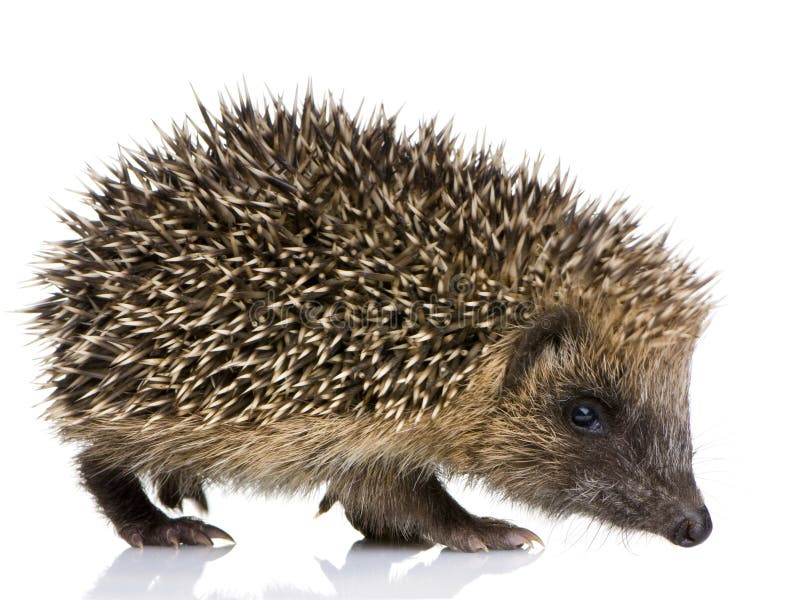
column 485, row 533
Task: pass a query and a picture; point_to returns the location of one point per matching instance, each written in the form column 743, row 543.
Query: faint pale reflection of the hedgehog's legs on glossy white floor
column 368, row 571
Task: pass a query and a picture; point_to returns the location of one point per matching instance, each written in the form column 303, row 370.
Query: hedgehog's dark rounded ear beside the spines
column 548, row 329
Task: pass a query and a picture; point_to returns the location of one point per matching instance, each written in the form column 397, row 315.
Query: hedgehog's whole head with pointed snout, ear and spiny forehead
column 594, row 410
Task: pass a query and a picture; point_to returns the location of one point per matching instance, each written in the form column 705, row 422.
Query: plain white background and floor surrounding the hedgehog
column 689, row 108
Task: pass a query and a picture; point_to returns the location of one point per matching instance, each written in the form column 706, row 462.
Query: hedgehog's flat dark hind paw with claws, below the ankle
column 173, row 532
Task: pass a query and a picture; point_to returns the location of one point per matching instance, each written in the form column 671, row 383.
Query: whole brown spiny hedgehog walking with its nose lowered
column 282, row 298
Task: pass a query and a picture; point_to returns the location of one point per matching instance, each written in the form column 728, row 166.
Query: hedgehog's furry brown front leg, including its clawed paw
column 415, row 507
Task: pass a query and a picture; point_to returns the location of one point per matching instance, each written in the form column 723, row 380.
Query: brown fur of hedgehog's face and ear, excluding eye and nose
column 639, row 474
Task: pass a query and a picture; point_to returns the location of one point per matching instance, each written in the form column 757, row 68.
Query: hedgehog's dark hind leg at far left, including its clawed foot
column 122, row 499
